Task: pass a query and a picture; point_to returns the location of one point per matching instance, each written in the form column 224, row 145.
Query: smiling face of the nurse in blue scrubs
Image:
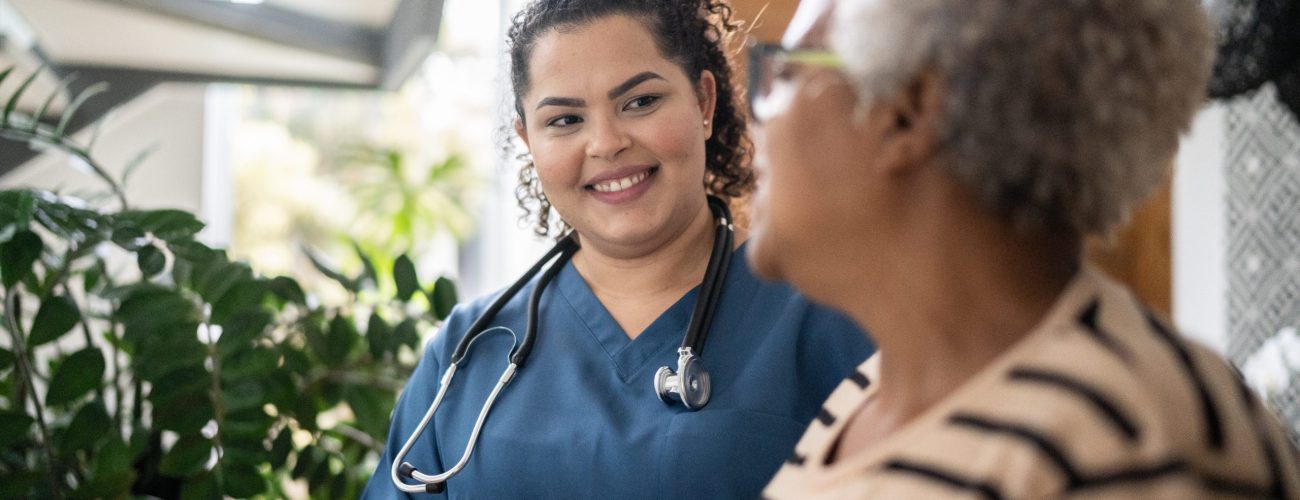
column 617, row 133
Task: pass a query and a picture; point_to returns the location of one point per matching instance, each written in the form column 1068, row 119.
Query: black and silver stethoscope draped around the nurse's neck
column 690, row 384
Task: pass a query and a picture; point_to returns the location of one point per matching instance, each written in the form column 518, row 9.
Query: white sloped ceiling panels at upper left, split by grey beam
column 97, row 33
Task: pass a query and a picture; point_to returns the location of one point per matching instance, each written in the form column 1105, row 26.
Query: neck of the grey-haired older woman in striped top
column 960, row 298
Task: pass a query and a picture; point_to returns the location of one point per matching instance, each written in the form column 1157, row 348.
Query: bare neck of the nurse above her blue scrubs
column 636, row 288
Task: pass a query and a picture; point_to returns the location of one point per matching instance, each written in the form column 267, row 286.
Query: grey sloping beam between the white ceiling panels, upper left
column 274, row 24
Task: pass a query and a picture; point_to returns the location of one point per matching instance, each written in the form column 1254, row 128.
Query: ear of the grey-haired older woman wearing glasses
column 907, row 127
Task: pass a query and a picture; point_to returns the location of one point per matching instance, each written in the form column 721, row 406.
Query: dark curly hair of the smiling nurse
column 694, row 34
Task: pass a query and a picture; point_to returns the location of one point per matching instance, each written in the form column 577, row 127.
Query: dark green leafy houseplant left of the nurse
column 187, row 375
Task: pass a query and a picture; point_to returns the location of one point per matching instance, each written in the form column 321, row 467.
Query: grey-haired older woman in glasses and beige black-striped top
column 931, row 168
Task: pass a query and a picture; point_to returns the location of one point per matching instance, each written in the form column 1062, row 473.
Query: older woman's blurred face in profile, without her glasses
column 813, row 197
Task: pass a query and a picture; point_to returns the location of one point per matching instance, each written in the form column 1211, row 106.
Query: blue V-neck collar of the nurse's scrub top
column 627, row 355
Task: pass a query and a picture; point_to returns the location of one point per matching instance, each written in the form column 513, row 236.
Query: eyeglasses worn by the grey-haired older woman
column 770, row 64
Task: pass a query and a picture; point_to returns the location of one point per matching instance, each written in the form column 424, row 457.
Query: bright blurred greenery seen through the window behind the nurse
column 396, row 177
